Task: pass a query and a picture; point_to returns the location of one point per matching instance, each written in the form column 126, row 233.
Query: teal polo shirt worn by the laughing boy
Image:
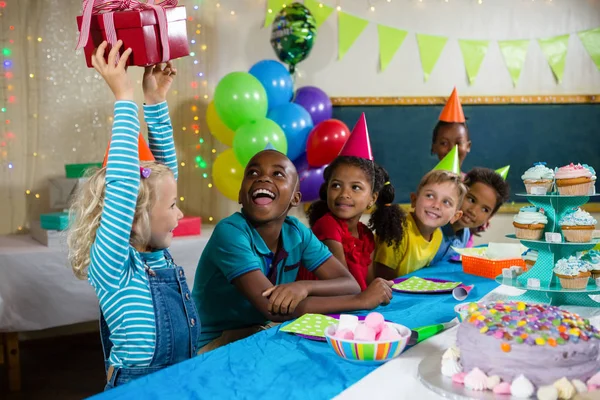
column 236, row 248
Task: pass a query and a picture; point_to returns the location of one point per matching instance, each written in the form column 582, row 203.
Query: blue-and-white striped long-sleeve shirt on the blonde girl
column 117, row 270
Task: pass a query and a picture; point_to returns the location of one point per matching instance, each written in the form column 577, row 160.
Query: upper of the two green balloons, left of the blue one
column 240, row 98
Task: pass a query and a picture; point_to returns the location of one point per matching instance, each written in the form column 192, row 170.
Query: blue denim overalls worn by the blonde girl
column 177, row 325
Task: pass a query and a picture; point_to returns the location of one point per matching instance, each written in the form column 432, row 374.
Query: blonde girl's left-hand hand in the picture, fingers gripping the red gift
column 115, row 74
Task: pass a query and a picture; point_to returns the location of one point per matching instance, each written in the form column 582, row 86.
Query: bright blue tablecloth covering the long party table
column 278, row 365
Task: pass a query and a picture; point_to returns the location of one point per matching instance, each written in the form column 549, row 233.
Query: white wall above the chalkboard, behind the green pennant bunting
column 238, row 41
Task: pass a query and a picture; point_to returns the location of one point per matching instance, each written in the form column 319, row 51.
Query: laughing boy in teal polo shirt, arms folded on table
column 246, row 274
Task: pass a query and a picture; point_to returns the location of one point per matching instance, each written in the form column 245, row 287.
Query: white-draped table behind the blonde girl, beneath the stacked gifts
column 38, row 289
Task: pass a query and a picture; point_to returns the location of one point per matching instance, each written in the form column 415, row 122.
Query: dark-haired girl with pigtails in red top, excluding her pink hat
column 352, row 186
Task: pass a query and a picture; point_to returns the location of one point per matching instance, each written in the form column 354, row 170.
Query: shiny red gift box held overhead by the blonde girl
column 140, row 30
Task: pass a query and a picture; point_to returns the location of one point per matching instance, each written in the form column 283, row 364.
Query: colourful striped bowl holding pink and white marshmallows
column 368, row 352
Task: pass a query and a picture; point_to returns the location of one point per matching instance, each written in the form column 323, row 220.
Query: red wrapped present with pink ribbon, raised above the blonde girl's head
column 155, row 32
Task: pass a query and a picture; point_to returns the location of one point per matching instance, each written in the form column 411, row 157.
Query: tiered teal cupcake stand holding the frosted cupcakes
column 550, row 290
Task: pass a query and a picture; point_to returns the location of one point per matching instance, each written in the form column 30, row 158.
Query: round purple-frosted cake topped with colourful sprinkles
column 531, row 343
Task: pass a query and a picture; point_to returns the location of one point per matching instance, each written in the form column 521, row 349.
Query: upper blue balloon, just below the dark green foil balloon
column 276, row 80
